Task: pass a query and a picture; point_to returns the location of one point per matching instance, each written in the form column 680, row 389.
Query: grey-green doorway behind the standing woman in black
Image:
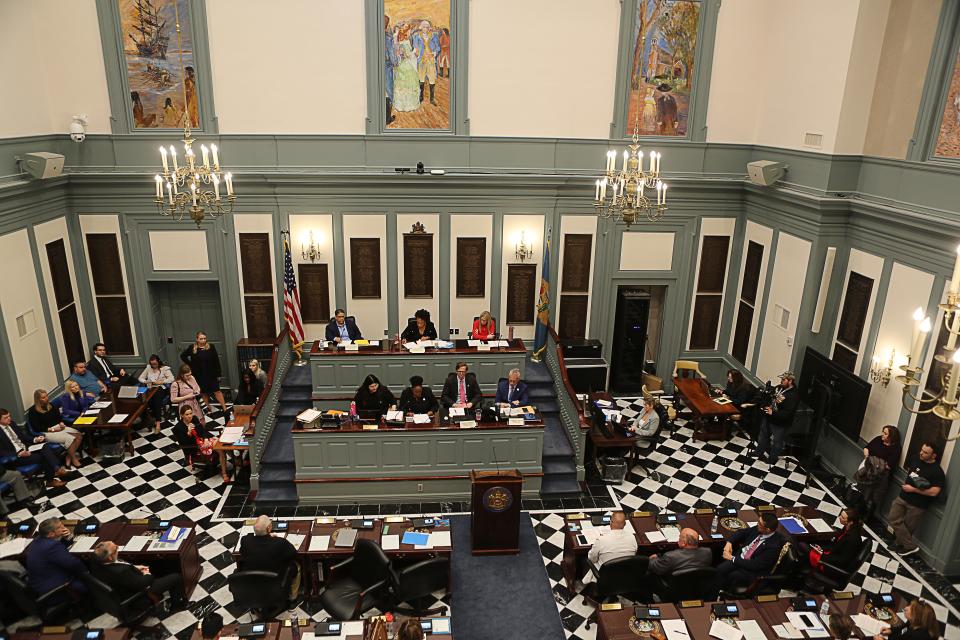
column 181, row 309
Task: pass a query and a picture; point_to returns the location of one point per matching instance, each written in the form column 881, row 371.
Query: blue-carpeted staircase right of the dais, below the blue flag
column 559, row 463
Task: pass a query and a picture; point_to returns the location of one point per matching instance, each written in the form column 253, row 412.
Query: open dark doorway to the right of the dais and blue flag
column 636, row 336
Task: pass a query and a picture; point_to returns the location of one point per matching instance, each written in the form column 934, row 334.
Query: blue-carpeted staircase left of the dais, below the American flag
column 277, row 466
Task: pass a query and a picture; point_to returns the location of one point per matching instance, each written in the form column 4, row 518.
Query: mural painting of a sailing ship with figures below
column 152, row 62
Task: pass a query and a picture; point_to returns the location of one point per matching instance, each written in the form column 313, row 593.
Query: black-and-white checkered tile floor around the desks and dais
column 692, row 474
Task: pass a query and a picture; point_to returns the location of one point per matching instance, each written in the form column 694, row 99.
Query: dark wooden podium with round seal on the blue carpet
column 495, row 512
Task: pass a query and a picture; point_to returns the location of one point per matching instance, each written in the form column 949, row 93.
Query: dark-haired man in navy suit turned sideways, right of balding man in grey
column 759, row 551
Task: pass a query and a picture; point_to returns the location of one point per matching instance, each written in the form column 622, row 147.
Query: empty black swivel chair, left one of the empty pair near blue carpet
column 359, row 583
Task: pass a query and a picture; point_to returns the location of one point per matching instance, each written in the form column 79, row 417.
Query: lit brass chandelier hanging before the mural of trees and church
column 626, row 195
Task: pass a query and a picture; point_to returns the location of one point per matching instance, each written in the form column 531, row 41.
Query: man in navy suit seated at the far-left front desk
column 50, row 565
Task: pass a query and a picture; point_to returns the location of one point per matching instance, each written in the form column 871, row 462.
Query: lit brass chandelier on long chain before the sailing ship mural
column 184, row 190
